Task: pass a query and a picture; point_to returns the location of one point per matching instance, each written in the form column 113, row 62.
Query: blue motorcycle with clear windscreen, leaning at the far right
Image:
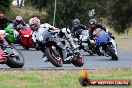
column 103, row 44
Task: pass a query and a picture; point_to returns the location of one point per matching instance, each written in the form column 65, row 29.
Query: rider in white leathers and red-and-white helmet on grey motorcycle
column 39, row 30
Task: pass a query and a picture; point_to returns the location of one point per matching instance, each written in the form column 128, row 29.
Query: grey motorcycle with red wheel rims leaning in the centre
column 55, row 54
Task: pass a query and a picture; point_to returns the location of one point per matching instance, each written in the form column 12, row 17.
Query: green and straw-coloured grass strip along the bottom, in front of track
column 59, row 78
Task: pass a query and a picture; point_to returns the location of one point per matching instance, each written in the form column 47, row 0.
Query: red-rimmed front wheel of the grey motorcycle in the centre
column 54, row 55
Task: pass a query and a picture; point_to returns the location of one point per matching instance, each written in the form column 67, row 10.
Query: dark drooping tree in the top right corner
column 120, row 14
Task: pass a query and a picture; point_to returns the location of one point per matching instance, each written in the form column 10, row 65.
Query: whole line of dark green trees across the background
column 118, row 12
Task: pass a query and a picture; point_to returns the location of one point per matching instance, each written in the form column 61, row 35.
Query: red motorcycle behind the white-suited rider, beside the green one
column 26, row 37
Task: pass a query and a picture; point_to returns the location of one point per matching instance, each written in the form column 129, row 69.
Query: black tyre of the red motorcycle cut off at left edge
column 15, row 62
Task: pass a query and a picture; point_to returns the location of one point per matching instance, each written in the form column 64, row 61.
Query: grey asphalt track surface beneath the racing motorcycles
column 33, row 59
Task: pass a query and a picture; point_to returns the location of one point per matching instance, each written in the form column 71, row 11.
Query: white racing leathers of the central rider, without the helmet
column 44, row 31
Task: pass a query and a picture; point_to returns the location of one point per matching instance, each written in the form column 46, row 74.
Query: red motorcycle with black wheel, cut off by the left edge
column 11, row 57
